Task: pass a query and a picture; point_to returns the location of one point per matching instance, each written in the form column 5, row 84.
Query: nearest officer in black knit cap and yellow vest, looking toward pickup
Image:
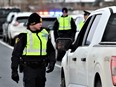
column 35, row 49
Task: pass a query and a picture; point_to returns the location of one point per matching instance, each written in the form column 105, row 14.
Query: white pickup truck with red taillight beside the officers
column 91, row 62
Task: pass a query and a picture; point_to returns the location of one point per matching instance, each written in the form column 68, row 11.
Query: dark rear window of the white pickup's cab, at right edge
column 110, row 31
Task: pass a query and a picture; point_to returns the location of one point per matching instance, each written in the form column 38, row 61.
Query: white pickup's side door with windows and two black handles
column 79, row 66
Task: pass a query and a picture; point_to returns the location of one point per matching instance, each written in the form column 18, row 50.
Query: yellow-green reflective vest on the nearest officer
column 36, row 45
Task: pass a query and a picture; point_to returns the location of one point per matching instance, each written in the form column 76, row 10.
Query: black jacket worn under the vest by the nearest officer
column 20, row 45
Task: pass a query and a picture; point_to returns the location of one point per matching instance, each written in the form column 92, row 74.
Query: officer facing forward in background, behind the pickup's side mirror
column 64, row 27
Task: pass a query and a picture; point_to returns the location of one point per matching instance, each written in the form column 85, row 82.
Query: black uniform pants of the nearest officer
column 34, row 76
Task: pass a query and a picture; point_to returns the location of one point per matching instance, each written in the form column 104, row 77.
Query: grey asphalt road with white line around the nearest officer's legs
column 53, row 78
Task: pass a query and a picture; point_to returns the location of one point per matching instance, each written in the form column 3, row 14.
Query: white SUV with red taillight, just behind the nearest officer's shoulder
column 16, row 26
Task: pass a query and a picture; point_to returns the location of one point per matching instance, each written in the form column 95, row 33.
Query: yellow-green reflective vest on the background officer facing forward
column 64, row 23
